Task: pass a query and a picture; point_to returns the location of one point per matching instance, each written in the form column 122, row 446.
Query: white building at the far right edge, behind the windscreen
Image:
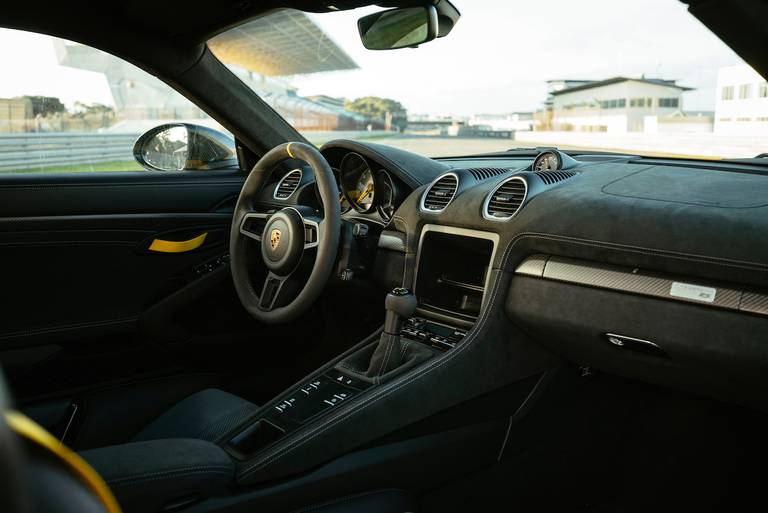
column 741, row 107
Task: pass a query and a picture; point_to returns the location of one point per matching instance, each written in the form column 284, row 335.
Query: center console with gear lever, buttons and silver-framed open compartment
column 450, row 282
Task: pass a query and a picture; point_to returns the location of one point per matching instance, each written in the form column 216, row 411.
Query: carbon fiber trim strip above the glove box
column 636, row 281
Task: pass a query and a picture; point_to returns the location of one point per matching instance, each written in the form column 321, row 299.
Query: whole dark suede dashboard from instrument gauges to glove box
column 651, row 268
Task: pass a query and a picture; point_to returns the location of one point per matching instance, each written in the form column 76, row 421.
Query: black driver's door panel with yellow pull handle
column 78, row 272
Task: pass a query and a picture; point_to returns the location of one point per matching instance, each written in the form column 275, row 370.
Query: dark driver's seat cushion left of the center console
column 206, row 415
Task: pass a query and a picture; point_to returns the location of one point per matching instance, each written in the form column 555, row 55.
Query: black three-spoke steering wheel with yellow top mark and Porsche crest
column 285, row 236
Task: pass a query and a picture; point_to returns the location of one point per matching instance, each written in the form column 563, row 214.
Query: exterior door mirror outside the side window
column 183, row 146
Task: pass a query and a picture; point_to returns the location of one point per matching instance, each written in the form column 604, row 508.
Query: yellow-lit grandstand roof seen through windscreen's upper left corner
column 285, row 42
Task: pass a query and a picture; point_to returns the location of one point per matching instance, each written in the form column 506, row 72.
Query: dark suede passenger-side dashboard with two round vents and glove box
column 667, row 266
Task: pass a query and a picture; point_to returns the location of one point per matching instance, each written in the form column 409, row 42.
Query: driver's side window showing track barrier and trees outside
column 69, row 108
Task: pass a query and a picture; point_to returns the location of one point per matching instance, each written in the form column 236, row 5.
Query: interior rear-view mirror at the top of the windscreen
column 407, row 26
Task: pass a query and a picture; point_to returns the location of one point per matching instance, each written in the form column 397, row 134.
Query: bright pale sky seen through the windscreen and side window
column 496, row 60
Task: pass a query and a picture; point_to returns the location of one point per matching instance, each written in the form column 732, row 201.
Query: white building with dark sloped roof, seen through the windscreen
column 616, row 105
